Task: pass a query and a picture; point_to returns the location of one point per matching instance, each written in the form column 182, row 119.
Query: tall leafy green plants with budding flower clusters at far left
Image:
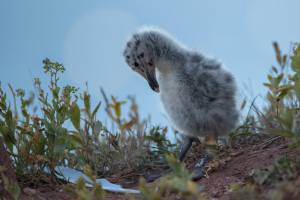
column 36, row 141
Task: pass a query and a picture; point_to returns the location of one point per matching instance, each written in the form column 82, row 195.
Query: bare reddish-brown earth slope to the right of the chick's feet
column 240, row 166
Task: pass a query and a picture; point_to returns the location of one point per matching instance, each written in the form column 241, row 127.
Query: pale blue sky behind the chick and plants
column 88, row 37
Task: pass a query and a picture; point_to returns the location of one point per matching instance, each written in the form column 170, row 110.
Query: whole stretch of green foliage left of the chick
column 60, row 126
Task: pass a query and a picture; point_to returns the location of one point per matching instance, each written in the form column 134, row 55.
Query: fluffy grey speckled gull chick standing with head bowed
column 197, row 93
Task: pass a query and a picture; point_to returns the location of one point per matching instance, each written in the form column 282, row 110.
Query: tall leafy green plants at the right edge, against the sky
column 282, row 117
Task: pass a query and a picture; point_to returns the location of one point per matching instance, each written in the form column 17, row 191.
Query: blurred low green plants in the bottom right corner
column 280, row 179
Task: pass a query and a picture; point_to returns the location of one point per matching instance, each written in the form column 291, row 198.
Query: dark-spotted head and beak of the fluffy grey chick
column 141, row 55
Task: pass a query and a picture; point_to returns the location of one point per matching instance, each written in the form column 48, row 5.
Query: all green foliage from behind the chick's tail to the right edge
column 281, row 115
